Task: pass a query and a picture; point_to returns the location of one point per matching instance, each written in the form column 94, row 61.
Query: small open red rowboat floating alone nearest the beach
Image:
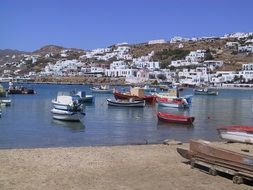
column 172, row 118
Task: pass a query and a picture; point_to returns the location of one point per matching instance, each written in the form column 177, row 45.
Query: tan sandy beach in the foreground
column 117, row 167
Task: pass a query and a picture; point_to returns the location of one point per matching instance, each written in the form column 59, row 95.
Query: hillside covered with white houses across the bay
column 215, row 60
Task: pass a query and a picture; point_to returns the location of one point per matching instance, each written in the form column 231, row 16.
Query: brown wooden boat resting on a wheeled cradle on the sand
column 205, row 154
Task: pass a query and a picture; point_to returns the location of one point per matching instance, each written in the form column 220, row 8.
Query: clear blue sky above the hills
column 28, row 25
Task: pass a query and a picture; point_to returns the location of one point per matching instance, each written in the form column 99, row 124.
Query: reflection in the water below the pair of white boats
column 72, row 126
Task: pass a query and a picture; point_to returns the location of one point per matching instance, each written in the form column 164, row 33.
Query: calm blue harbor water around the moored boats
column 28, row 121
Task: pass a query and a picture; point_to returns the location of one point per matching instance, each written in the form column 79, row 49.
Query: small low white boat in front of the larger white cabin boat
column 67, row 115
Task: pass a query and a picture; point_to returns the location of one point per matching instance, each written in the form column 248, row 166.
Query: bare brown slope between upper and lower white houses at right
column 171, row 51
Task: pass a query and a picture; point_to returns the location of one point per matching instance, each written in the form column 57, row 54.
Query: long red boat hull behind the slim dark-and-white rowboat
column 126, row 96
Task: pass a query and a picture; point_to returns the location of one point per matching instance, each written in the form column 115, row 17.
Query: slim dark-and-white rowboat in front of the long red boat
column 129, row 103
